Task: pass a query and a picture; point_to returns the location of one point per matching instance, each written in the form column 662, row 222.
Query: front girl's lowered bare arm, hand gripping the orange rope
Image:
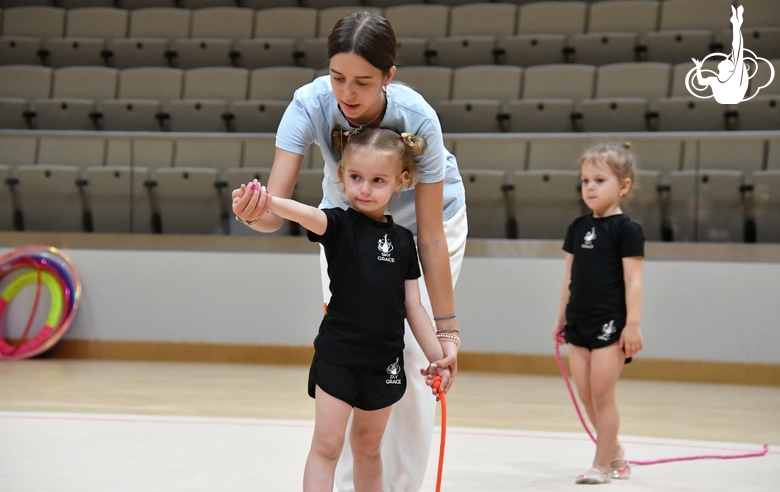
column 424, row 333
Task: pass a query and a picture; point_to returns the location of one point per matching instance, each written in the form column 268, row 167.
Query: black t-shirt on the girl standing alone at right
column 599, row 245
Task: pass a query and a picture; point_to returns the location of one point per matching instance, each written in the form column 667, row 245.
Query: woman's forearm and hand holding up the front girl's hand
column 253, row 205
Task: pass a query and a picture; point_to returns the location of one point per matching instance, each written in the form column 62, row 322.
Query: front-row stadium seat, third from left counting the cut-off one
column 119, row 200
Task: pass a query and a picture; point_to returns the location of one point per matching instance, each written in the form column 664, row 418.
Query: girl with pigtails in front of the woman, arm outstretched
column 358, row 367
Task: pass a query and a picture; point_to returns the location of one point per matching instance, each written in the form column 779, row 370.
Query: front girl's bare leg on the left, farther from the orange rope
column 330, row 424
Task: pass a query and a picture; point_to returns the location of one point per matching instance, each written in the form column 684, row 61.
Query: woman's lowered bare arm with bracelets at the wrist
column 435, row 259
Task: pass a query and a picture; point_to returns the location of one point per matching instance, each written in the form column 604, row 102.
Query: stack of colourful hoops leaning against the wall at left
column 45, row 266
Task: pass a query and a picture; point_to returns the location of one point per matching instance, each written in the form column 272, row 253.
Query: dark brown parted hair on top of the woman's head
column 368, row 35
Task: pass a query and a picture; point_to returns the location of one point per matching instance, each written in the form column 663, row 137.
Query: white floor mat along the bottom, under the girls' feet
column 41, row 452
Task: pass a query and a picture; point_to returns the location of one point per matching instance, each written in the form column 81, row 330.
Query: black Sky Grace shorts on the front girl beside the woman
column 365, row 387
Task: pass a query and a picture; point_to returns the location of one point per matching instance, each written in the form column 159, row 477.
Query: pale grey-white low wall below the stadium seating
column 699, row 310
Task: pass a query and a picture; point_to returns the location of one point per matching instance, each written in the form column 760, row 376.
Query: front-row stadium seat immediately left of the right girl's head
column 545, row 202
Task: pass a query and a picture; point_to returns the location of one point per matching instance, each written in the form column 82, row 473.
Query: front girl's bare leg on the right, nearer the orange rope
column 365, row 438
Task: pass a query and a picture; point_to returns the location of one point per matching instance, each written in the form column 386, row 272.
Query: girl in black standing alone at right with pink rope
column 601, row 300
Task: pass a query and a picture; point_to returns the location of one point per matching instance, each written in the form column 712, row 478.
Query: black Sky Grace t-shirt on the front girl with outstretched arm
column 368, row 264
